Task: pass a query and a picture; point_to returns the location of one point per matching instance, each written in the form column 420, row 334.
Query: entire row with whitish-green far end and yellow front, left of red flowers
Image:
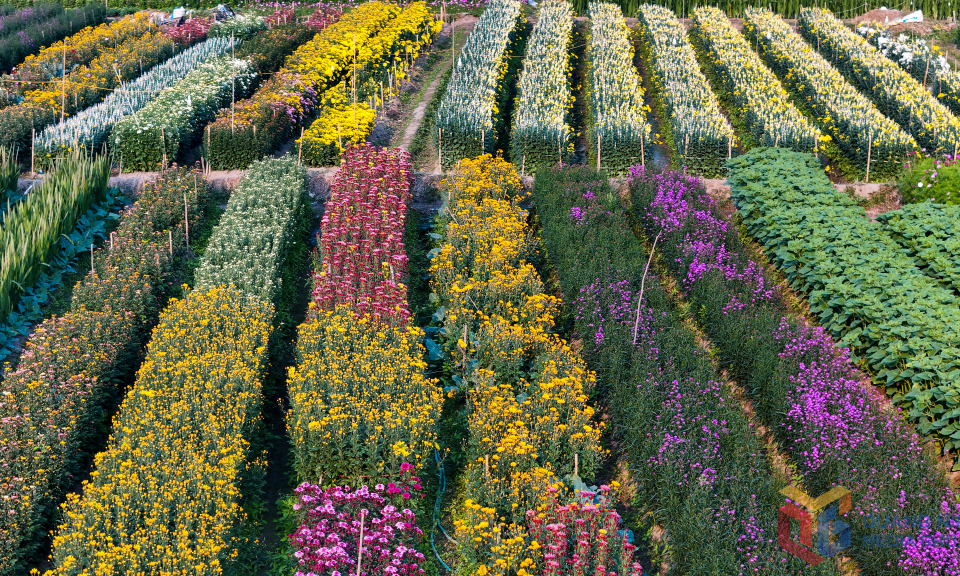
column 180, row 472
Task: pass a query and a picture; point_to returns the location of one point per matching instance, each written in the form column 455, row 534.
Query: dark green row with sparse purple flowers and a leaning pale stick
column 693, row 455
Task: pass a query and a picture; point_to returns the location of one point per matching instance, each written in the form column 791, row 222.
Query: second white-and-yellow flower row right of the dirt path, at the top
column 541, row 135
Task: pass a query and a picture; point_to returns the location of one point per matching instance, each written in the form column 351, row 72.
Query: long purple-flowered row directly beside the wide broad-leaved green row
column 835, row 428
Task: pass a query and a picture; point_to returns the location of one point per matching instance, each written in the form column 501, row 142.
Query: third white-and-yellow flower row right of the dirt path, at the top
column 618, row 134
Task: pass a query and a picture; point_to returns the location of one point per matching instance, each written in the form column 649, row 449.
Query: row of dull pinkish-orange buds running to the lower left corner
column 71, row 363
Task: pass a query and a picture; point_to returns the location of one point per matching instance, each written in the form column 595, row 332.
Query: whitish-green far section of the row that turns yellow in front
column 248, row 246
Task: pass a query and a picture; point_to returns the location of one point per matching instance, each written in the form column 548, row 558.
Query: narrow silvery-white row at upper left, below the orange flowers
column 91, row 128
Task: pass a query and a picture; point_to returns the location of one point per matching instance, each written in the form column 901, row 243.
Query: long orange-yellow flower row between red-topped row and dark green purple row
column 529, row 421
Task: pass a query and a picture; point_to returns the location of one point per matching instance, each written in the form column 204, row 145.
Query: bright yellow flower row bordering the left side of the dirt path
column 343, row 120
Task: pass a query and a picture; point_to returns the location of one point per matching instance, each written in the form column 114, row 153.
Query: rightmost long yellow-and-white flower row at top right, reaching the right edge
column 896, row 94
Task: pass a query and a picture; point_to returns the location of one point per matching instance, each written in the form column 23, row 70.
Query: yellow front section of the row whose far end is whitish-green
column 165, row 494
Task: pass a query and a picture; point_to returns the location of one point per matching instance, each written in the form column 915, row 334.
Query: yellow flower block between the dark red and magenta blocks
column 359, row 401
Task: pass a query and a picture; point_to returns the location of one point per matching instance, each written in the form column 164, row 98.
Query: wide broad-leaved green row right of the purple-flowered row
column 866, row 291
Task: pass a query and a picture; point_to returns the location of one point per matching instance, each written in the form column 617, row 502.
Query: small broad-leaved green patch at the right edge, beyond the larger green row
column 931, row 233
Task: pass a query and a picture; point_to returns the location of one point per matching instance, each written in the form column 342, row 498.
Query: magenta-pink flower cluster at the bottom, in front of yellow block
column 328, row 542
